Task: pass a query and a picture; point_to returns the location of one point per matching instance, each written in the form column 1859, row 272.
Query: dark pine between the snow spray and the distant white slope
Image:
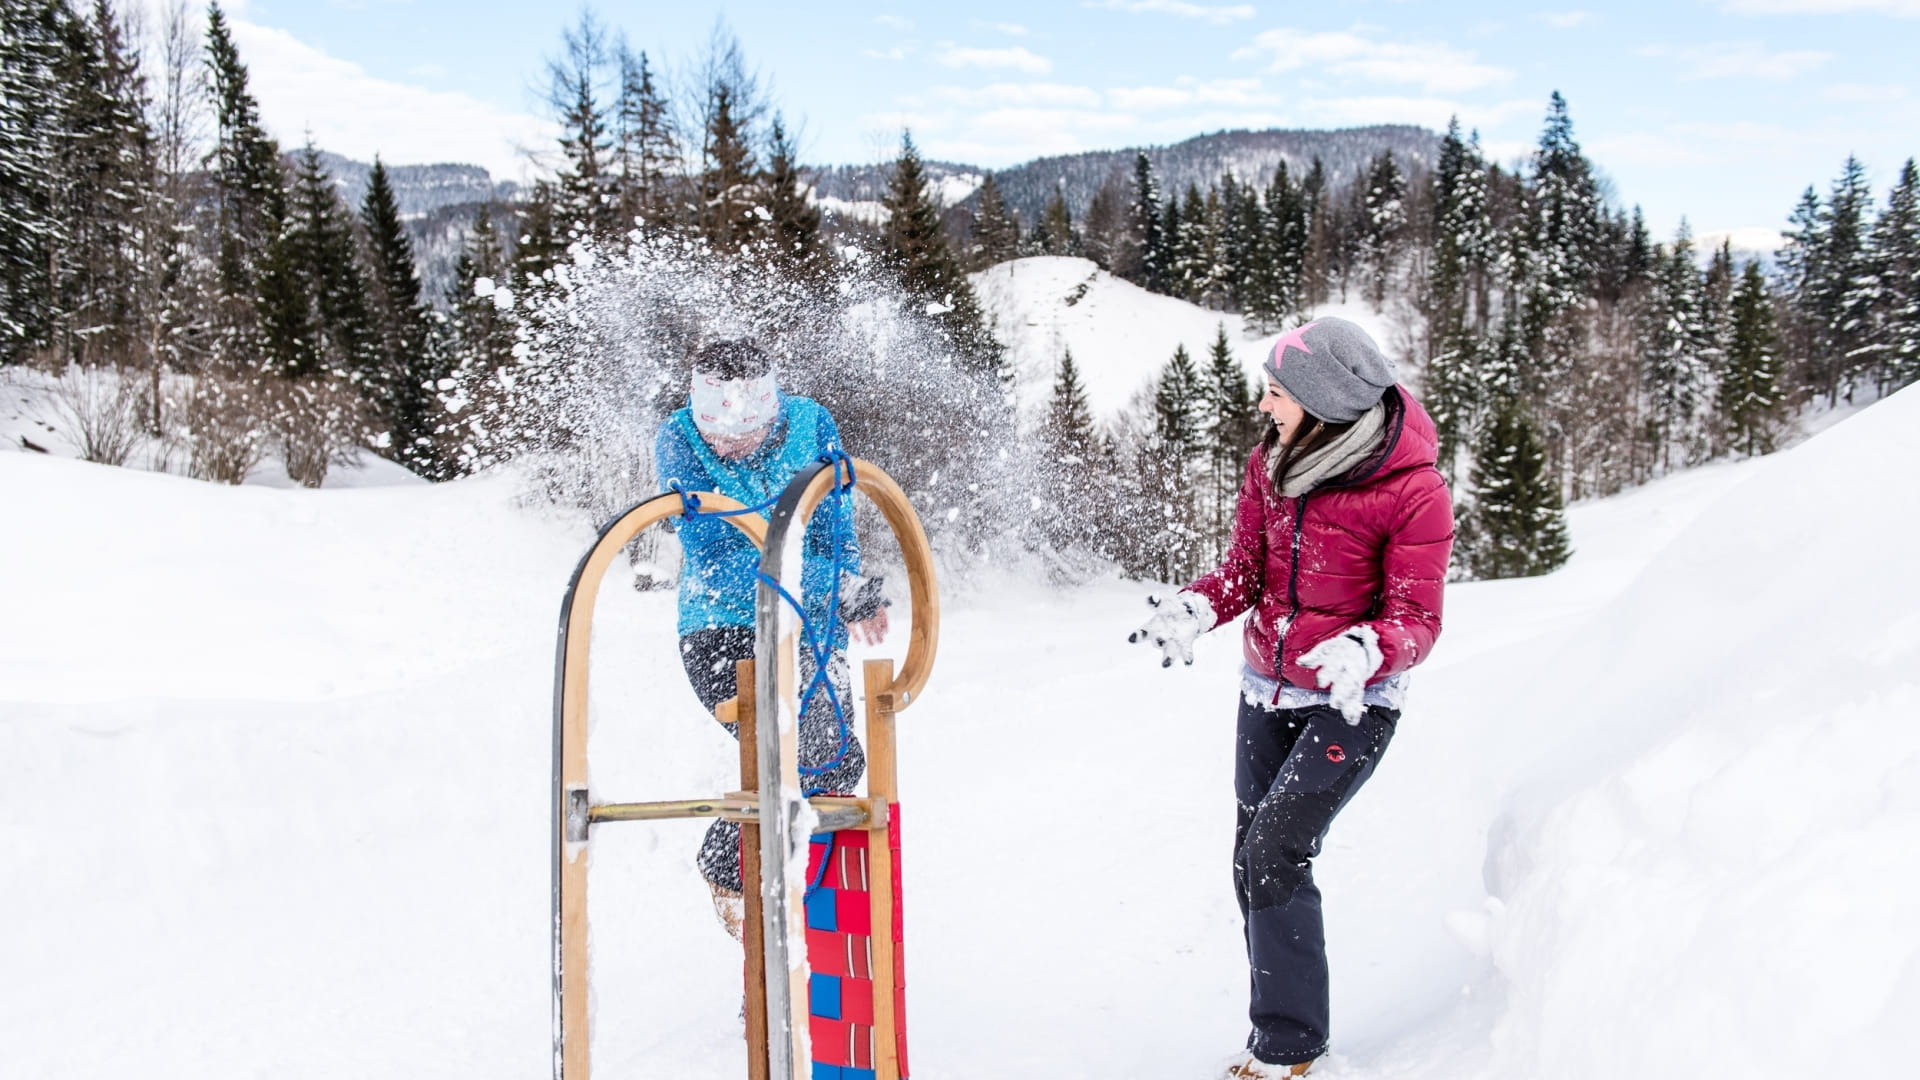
column 930, row 274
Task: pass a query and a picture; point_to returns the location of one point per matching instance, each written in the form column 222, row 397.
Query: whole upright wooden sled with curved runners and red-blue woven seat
column 821, row 877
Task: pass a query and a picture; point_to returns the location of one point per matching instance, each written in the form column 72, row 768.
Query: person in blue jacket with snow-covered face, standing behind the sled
column 744, row 439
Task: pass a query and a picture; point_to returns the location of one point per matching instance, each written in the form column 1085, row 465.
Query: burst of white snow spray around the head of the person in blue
column 604, row 356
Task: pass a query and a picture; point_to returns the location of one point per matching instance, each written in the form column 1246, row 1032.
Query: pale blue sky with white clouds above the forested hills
column 1717, row 110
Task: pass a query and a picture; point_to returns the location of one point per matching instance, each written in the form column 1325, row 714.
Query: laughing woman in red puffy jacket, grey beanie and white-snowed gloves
column 1341, row 545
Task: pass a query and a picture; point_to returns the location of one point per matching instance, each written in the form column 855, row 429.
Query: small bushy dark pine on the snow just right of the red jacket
column 1518, row 518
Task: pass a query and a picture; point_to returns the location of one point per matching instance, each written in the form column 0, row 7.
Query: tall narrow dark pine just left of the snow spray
column 406, row 372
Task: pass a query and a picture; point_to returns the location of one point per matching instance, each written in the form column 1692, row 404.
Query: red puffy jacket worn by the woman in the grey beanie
column 1370, row 547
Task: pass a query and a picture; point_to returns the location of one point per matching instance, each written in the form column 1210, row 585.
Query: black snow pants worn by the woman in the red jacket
column 1293, row 773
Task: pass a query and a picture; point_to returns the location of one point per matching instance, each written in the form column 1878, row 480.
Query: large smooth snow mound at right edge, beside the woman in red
column 1716, row 870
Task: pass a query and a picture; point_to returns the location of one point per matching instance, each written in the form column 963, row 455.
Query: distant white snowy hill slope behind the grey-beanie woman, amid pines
column 1120, row 333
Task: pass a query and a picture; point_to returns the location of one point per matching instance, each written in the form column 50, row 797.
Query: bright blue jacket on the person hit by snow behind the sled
column 719, row 574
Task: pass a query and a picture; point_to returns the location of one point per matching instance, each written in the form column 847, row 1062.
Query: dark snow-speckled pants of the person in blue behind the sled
column 709, row 658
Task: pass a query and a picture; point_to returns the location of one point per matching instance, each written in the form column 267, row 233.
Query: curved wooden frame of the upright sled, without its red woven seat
column 777, row 802
